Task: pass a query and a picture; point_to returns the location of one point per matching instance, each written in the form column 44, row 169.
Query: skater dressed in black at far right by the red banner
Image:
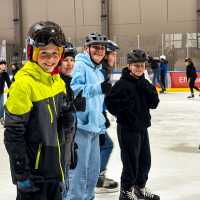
column 191, row 76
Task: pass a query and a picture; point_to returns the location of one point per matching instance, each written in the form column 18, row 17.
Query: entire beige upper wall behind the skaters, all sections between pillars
column 127, row 17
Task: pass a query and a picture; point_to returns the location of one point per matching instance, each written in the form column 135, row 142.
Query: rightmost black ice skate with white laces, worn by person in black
column 145, row 194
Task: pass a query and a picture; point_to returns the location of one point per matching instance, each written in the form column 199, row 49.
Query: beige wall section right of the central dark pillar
column 151, row 18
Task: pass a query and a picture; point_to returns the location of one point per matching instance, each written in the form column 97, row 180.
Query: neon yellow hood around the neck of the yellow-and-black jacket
column 34, row 70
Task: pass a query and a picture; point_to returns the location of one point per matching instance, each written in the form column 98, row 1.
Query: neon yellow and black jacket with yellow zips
column 34, row 135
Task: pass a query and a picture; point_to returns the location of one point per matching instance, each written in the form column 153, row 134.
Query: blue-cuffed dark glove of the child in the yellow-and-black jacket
column 27, row 186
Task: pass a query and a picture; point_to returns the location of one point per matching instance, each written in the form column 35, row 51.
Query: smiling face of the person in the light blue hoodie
column 97, row 52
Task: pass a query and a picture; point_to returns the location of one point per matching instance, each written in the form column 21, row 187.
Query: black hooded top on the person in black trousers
column 130, row 100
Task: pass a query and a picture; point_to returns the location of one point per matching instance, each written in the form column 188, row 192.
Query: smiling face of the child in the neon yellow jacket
column 48, row 57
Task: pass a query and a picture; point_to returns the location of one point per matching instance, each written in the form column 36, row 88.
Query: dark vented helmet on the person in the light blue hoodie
column 95, row 38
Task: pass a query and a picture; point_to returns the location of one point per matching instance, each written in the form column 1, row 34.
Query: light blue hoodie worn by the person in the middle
column 87, row 77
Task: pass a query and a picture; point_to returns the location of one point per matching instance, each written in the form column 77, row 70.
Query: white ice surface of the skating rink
column 174, row 138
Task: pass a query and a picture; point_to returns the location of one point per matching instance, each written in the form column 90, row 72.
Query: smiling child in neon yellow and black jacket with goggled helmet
column 35, row 118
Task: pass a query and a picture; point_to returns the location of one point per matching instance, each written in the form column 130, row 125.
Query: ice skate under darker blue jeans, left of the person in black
column 105, row 185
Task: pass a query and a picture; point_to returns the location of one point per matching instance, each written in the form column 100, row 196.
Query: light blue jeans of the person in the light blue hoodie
column 83, row 179
